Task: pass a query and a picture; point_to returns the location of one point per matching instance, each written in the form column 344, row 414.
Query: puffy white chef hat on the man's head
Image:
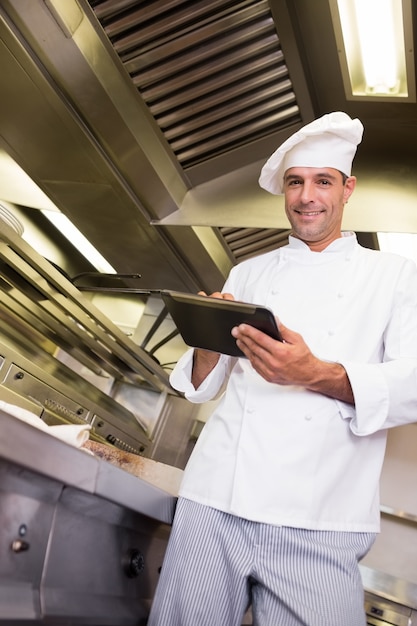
column 329, row 141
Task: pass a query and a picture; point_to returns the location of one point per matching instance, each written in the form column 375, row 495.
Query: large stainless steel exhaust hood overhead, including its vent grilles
column 184, row 103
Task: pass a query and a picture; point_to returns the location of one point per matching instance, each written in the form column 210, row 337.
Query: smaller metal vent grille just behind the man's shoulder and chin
column 244, row 243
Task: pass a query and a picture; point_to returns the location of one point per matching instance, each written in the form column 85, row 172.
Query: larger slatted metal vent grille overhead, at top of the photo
column 212, row 72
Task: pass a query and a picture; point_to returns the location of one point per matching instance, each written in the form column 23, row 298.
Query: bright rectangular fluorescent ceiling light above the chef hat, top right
column 376, row 49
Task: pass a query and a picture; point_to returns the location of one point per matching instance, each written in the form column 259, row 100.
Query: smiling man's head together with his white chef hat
column 315, row 193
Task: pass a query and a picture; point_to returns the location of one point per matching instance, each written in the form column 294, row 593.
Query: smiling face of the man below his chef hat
column 314, row 202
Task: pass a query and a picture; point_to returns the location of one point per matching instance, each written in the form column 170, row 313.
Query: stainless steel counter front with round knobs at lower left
column 81, row 542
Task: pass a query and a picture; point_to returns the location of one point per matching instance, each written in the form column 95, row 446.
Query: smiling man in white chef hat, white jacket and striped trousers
column 279, row 500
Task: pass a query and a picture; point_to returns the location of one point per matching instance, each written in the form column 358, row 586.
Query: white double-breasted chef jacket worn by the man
column 288, row 456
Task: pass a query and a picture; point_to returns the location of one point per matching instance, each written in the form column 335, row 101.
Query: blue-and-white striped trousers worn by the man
column 217, row 565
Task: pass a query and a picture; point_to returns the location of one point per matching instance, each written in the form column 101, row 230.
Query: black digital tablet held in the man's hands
column 206, row 323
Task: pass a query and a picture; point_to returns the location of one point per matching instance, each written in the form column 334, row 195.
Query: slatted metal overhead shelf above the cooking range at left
column 57, row 309
